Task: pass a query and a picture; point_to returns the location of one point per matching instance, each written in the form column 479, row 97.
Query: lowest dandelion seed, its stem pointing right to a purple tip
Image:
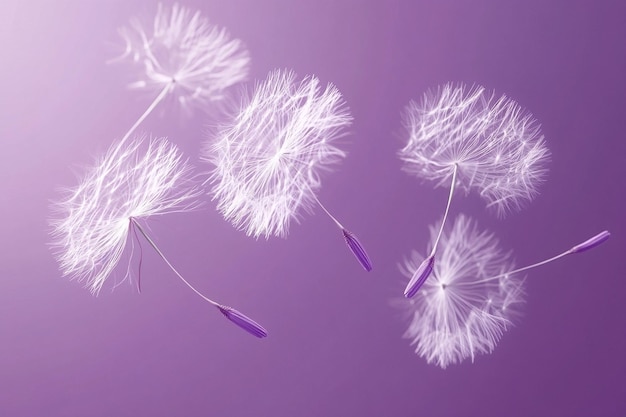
column 472, row 296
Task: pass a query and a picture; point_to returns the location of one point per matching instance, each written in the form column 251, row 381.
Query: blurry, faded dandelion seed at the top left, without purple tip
column 183, row 56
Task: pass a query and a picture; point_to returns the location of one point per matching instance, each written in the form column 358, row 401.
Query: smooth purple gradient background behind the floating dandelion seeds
column 335, row 346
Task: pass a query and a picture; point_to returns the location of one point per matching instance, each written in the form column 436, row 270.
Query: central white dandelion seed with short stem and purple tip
column 268, row 160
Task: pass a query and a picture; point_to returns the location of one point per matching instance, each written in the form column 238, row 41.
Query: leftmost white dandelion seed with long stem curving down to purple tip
column 91, row 225
